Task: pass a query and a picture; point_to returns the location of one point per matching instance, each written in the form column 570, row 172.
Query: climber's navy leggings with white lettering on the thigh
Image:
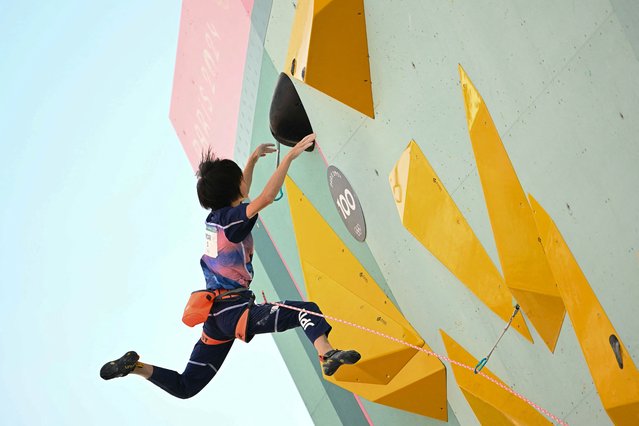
column 206, row 360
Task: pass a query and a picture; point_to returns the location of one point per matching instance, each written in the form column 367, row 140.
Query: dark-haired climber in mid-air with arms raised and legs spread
column 222, row 187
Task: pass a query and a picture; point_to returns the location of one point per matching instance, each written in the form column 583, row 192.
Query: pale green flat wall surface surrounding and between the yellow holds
column 559, row 79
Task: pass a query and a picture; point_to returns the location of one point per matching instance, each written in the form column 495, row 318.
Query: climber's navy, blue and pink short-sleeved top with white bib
column 227, row 261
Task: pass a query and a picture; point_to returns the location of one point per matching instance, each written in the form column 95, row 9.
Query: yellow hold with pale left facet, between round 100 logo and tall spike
column 429, row 213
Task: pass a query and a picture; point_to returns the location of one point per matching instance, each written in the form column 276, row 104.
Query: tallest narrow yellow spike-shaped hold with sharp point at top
column 522, row 258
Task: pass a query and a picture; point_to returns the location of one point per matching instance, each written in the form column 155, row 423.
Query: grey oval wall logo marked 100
column 347, row 203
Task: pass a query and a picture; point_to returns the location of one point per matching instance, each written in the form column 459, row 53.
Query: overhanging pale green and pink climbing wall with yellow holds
column 492, row 148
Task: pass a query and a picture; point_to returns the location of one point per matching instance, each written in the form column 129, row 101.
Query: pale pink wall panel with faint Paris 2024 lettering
column 209, row 69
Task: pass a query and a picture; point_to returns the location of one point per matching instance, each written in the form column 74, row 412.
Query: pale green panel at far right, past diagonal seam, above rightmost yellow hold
column 582, row 142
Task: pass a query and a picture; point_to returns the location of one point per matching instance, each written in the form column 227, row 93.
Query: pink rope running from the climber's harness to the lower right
column 426, row 351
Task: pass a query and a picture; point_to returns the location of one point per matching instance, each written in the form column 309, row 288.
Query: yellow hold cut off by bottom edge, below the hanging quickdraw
column 491, row 404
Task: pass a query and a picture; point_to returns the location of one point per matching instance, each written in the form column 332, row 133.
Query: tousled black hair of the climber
column 218, row 183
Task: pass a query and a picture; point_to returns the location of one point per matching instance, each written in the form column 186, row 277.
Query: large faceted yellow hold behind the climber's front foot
column 341, row 286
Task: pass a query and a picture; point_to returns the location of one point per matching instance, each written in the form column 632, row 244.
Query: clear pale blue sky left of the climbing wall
column 100, row 228
